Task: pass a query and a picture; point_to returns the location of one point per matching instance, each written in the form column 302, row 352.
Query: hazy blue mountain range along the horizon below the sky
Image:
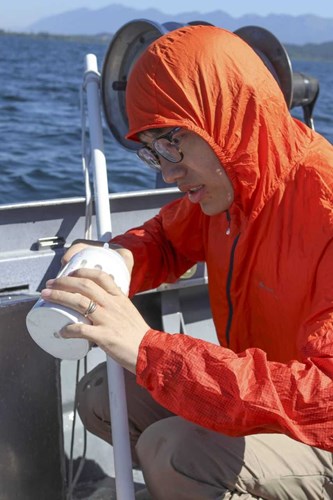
column 288, row 29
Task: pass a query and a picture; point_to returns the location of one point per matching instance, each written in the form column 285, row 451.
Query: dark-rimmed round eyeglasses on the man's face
column 166, row 146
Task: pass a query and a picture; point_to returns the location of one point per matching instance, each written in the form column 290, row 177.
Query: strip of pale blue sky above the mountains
column 17, row 14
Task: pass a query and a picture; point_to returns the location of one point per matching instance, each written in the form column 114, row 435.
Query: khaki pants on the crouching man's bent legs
column 182, row 461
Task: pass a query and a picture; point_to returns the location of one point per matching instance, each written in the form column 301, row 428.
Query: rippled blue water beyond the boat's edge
column 40, row 122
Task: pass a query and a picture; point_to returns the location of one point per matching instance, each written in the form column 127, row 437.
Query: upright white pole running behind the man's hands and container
column 118, row 406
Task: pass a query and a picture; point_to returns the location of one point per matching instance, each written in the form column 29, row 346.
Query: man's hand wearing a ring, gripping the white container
column 116, row 325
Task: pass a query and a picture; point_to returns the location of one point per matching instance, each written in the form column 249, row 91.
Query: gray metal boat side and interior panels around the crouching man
column 36, row 390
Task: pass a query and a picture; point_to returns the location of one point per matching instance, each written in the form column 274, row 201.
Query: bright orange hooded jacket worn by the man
column 271, row 278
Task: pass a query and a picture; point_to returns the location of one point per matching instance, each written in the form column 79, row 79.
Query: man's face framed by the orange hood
column 199, row 174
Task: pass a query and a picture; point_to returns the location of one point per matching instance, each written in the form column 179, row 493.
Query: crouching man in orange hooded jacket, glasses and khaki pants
column 254, row 417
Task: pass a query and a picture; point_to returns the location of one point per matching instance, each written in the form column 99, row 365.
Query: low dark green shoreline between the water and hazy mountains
column 309, row 52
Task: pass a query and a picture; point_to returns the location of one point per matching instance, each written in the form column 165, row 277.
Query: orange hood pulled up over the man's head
column 209, row 81
